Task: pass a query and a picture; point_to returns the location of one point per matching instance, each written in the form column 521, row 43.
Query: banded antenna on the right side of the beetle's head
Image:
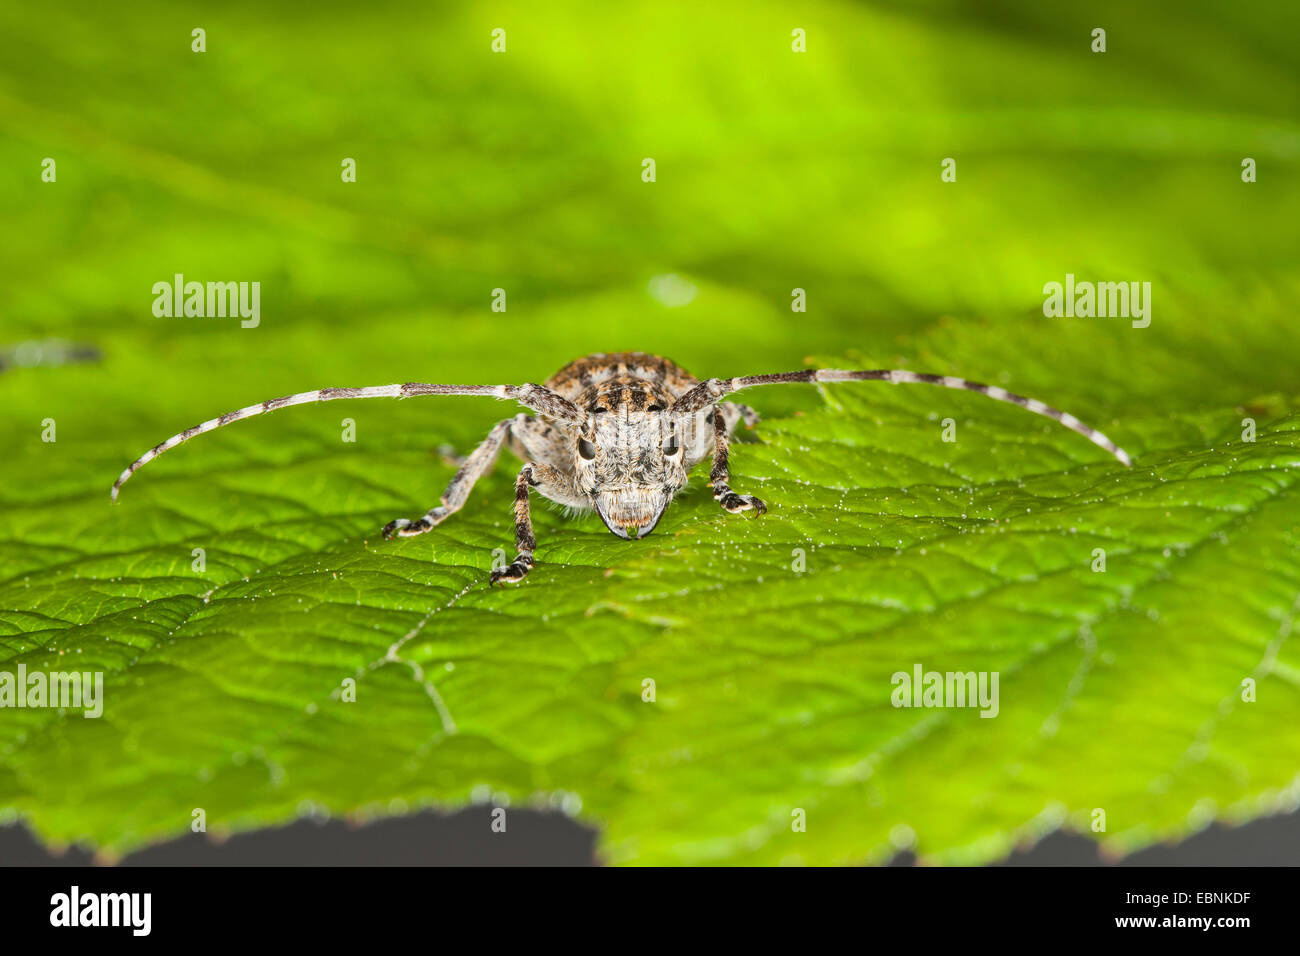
column 707, row 393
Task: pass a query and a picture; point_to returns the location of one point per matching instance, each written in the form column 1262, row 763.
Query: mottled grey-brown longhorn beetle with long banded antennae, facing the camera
column 617, row 434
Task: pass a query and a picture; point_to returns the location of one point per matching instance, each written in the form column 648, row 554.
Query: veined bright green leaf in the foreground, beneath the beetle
column 773, row 685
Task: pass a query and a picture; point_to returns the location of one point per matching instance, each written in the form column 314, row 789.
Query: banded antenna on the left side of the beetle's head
column 536, row 397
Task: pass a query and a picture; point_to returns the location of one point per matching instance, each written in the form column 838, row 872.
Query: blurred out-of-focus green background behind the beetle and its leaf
column 522, row 171
